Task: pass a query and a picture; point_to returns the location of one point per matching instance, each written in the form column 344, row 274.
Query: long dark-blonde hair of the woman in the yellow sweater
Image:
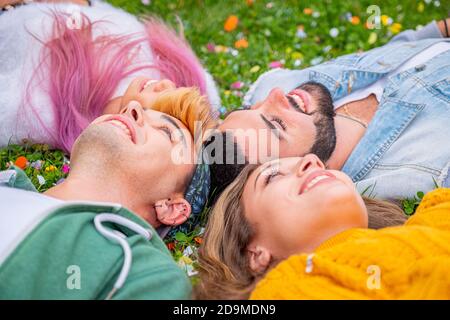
column 223, row 261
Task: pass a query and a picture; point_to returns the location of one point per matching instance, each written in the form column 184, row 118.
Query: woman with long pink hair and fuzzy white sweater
column 63, row 64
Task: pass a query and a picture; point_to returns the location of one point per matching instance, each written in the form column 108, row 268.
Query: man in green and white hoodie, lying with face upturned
column 93, row 236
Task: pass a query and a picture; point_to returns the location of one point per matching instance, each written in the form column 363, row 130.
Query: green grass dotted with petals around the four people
column 271, row 29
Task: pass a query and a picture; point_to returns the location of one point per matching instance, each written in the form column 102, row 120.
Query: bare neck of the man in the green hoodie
column 85, row 187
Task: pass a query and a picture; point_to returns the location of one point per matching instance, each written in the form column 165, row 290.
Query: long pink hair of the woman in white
column 83, row 72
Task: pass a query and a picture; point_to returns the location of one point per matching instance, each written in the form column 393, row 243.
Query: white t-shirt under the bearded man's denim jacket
column 377, row 87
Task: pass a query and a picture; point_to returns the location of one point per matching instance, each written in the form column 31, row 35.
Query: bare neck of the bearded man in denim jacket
column 348, row 134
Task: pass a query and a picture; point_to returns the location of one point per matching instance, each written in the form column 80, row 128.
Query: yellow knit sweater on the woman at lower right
column 404, row 262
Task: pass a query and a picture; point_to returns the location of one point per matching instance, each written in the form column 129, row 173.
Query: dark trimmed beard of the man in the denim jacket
column 325, row 141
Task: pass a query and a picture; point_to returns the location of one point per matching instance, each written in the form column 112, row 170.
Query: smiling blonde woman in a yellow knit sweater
column 290, row 229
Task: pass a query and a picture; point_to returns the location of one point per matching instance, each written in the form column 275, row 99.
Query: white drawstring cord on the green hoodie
column 120, row 238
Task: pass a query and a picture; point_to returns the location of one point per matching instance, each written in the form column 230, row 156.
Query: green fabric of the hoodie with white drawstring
column 64, row 256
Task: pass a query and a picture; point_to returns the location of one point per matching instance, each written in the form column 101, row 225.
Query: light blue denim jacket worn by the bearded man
column 406, row 147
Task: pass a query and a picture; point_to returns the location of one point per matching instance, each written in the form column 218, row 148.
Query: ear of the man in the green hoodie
column 172, row 212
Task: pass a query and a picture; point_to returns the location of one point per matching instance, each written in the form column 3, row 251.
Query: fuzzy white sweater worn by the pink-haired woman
column 20, row 54
